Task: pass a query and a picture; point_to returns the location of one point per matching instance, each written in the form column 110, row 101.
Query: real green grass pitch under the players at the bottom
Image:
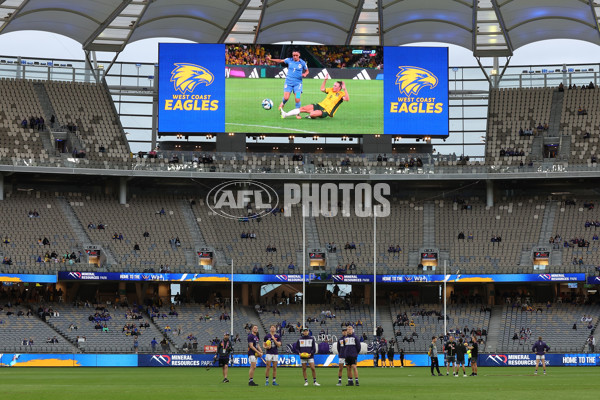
column 197, row 383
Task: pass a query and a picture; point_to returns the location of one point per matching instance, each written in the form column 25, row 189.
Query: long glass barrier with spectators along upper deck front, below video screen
column 311, row 164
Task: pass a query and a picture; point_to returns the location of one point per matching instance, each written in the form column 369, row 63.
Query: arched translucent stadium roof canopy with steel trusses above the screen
column 487, row 27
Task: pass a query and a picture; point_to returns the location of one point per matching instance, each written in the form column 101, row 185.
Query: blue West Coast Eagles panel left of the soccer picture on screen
column 191, row 83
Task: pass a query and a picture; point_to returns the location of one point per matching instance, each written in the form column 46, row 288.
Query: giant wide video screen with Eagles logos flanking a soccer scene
column 208, row 88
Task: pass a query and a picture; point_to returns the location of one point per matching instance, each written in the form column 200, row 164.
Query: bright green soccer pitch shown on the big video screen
column 244, row 113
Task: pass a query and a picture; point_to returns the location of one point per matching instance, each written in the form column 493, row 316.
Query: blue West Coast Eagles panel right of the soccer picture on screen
column 416, row 91
